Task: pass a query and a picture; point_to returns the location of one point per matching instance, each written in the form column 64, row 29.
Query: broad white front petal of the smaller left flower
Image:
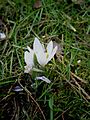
column 29, row 58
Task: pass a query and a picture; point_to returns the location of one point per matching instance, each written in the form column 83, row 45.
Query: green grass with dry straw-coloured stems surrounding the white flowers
column 67, row 96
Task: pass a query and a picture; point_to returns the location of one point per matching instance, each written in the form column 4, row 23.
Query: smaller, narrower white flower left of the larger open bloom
column 29, row 59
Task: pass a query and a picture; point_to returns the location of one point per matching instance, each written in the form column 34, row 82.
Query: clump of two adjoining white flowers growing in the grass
column 43, row 56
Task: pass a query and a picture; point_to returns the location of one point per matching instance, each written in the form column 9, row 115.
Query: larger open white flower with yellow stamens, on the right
column 43, row 57
